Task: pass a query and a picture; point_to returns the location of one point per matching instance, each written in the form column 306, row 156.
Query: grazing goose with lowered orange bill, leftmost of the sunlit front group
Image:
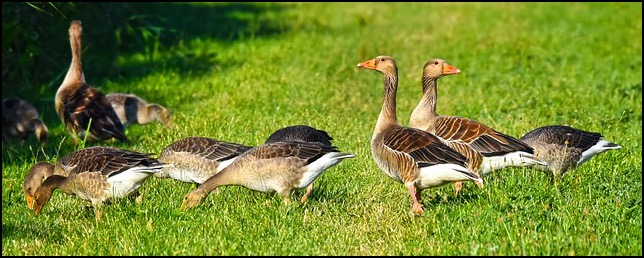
column 99, row 173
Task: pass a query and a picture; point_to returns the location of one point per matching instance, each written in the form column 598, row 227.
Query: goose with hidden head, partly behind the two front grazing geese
column 195, row 159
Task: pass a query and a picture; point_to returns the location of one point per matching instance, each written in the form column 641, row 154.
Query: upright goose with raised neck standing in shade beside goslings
column 77, row 102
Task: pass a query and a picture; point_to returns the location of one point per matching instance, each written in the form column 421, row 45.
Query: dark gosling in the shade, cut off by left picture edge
column 20, row 120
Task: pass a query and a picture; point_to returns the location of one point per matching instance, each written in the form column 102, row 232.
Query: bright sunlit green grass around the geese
column 523, row 65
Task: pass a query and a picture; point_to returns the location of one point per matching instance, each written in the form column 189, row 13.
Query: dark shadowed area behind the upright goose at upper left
column 150, row 36
